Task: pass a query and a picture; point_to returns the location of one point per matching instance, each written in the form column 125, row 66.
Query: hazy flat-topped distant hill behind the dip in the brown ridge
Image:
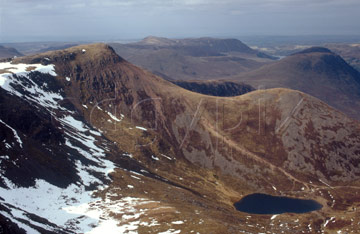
column 192, row 59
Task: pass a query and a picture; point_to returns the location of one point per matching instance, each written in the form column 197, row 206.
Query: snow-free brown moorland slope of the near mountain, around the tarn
column 214, row 150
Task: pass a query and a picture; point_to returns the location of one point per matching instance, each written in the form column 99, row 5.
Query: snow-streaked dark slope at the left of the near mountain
column 70, row 208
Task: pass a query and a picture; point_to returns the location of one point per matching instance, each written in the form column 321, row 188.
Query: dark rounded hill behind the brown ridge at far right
column 316, row 71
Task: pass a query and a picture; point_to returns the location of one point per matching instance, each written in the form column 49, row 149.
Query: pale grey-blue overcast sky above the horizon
column 56, row 20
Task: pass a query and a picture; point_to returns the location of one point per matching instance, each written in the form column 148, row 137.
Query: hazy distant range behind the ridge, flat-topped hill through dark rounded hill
column 316, row 71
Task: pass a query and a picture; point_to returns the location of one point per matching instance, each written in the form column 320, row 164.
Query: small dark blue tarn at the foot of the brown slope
column 259, row 203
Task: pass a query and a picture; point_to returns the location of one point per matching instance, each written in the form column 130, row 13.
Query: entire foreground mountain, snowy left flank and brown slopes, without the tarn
column 169, row 149
